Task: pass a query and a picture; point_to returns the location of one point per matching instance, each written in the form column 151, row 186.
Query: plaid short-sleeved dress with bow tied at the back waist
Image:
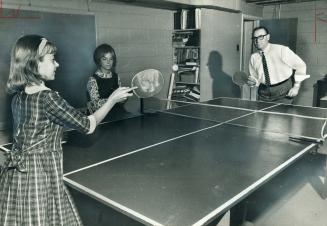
column 32, row 191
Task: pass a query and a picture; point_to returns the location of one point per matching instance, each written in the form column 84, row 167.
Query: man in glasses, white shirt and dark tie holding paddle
column 272, row 67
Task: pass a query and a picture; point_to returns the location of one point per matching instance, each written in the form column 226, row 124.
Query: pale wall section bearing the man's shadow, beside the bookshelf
column 220, row 56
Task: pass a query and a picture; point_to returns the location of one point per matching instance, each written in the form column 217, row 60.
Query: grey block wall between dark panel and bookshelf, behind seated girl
column 141, row 36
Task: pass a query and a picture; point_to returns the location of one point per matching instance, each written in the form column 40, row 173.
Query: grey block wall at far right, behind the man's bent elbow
column 311, row 43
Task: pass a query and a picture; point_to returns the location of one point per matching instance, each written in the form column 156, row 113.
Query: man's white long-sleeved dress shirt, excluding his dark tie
column 281, row 61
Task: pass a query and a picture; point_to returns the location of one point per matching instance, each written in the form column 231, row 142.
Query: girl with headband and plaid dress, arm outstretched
column 32, row 191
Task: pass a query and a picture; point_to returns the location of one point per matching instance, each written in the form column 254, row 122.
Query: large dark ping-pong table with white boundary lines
column 190, row 164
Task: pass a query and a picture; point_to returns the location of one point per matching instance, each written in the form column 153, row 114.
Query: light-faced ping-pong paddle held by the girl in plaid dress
column 147, row 83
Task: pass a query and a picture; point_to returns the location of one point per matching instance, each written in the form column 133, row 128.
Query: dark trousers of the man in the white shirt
column 276, row 93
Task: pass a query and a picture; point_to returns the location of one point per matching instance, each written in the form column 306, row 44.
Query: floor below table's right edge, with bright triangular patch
column 305, row 177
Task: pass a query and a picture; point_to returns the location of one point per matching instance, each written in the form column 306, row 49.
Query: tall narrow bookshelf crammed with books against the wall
column 186, row 55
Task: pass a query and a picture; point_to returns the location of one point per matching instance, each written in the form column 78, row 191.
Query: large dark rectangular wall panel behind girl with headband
column 53, row 26
